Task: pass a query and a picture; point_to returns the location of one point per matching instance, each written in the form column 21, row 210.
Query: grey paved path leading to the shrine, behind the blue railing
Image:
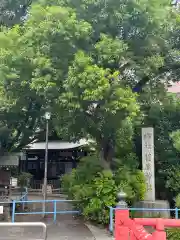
column 67, row 227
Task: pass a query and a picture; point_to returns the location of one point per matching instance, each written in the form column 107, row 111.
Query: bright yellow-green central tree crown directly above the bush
column 97, row 95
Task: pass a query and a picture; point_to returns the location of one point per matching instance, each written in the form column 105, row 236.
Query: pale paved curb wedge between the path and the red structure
column 99, row 234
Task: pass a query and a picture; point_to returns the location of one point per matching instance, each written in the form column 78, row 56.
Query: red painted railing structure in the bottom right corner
column 133, row 229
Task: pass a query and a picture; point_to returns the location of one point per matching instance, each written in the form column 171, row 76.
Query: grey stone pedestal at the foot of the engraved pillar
column 158, row 204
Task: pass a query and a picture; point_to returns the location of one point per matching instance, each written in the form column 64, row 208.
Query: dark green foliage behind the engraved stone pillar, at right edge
column 162, row 112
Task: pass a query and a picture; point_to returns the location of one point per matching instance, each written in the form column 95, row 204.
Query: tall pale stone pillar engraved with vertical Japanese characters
column 148, row 162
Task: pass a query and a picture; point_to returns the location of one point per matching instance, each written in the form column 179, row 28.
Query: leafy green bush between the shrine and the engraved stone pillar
column 96, row 189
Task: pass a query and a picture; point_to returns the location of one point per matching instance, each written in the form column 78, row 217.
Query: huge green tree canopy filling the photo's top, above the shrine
column 84, row 60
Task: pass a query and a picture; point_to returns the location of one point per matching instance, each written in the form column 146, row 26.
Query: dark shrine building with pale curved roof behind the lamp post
column 62, row 158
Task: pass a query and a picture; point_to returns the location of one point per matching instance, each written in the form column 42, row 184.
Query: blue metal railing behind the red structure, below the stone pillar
column 112, row 211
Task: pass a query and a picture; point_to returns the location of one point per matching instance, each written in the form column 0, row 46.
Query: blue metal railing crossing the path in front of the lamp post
column 54, row 212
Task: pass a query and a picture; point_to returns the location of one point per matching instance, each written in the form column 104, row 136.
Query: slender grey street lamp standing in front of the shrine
column 47, row 117
